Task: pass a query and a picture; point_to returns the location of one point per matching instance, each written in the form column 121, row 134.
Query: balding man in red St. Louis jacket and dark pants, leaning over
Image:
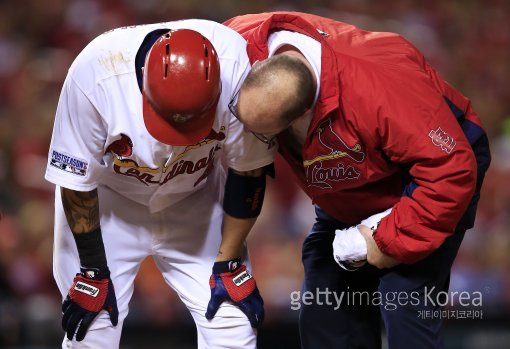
column 366, row 125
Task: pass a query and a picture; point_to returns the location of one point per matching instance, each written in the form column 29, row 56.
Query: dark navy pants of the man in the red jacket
column 400, row 296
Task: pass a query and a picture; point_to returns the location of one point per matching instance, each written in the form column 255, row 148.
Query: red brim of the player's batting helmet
column 163, row 131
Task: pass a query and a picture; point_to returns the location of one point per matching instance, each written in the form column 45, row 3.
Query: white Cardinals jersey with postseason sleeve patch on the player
column 99, row 136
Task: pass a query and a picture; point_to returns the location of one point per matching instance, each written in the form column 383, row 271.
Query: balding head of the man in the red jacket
column 276, row 92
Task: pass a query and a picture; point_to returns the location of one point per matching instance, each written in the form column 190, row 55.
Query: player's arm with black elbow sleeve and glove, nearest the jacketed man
column 230, row 279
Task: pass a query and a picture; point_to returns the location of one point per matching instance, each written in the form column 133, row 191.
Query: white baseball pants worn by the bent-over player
column 183, row 240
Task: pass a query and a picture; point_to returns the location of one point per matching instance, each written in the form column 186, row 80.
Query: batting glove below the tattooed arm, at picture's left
column 91, row 292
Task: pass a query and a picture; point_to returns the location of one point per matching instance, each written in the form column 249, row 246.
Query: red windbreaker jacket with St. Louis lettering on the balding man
column 387, row 131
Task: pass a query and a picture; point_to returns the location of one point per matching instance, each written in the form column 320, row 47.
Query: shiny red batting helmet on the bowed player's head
column 181, row 87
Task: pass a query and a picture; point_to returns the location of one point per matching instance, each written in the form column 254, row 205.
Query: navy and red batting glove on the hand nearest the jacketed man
column 230, row 281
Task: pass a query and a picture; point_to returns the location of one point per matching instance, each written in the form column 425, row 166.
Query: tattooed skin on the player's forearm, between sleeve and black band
column 81, row 210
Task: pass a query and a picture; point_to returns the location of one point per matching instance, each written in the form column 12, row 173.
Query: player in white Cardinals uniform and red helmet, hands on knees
column 148, row 161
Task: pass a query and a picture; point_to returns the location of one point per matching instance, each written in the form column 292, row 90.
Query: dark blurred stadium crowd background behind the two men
column 468, row 41
